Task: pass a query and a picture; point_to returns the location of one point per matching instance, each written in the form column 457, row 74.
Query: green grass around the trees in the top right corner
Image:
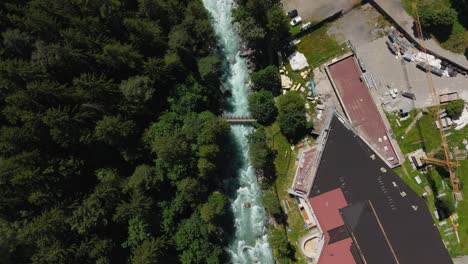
column 457, row 39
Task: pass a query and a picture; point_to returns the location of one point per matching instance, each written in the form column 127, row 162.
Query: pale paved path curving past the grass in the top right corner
column 395, row 9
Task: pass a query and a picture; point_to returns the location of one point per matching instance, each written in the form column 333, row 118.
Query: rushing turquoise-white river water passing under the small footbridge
column 250, row 243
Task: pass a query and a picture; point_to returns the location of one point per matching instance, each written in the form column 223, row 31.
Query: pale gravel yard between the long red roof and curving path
column 364, row 28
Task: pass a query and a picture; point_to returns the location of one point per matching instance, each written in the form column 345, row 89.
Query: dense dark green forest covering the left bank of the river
column 110, row 140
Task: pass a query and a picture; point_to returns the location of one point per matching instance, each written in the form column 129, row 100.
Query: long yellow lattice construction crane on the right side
column 447, row 162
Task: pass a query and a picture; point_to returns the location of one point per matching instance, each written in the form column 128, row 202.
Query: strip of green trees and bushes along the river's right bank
column 264, row 27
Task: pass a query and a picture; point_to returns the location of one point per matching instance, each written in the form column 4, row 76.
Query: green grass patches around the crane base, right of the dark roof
column 425, row 135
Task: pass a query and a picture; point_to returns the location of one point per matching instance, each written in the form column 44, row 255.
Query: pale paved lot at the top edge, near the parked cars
column 317, row 10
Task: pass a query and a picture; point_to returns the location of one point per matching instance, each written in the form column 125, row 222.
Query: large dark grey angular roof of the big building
column 406, row 226
